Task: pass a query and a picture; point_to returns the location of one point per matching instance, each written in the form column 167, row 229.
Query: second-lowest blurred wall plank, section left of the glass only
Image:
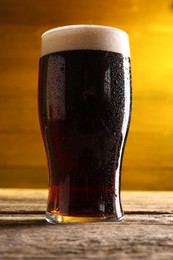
column 22, row 149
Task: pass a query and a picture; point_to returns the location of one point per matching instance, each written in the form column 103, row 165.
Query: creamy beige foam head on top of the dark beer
column 86, row 37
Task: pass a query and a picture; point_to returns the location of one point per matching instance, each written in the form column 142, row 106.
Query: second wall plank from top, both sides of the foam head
column 20, row 59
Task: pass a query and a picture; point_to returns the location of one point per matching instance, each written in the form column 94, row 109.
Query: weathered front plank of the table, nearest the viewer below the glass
column 87, row 241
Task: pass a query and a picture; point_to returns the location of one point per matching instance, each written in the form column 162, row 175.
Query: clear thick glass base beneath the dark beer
column 59, row 219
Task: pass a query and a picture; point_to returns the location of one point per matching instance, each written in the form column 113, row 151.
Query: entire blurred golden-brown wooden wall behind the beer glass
column 148, row 160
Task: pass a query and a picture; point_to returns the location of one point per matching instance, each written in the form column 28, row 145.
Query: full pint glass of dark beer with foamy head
column 84, row 110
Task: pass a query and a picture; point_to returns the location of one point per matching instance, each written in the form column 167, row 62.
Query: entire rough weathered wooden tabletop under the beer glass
column 145, row 233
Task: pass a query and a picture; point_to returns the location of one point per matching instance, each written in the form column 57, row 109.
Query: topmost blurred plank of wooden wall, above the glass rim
column 83, row 11
